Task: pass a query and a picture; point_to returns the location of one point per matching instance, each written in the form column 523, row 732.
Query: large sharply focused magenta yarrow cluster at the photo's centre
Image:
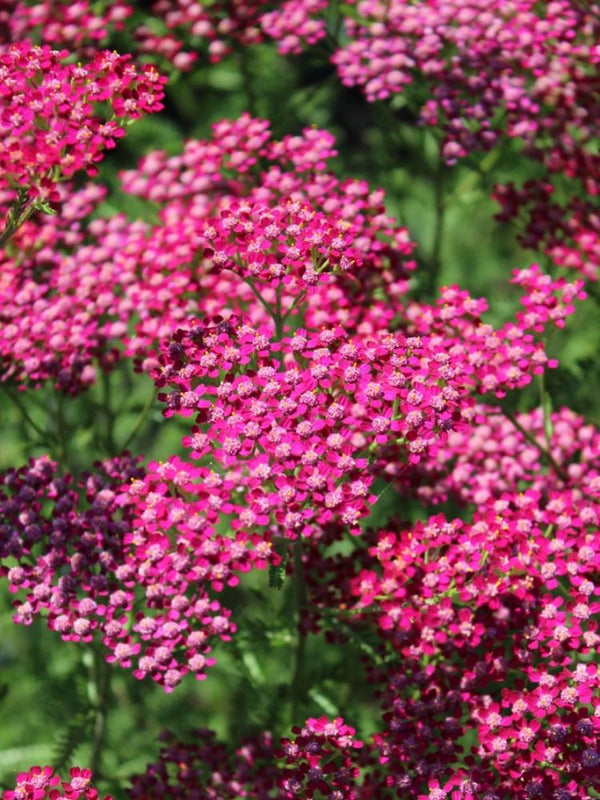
column 302, row 417
